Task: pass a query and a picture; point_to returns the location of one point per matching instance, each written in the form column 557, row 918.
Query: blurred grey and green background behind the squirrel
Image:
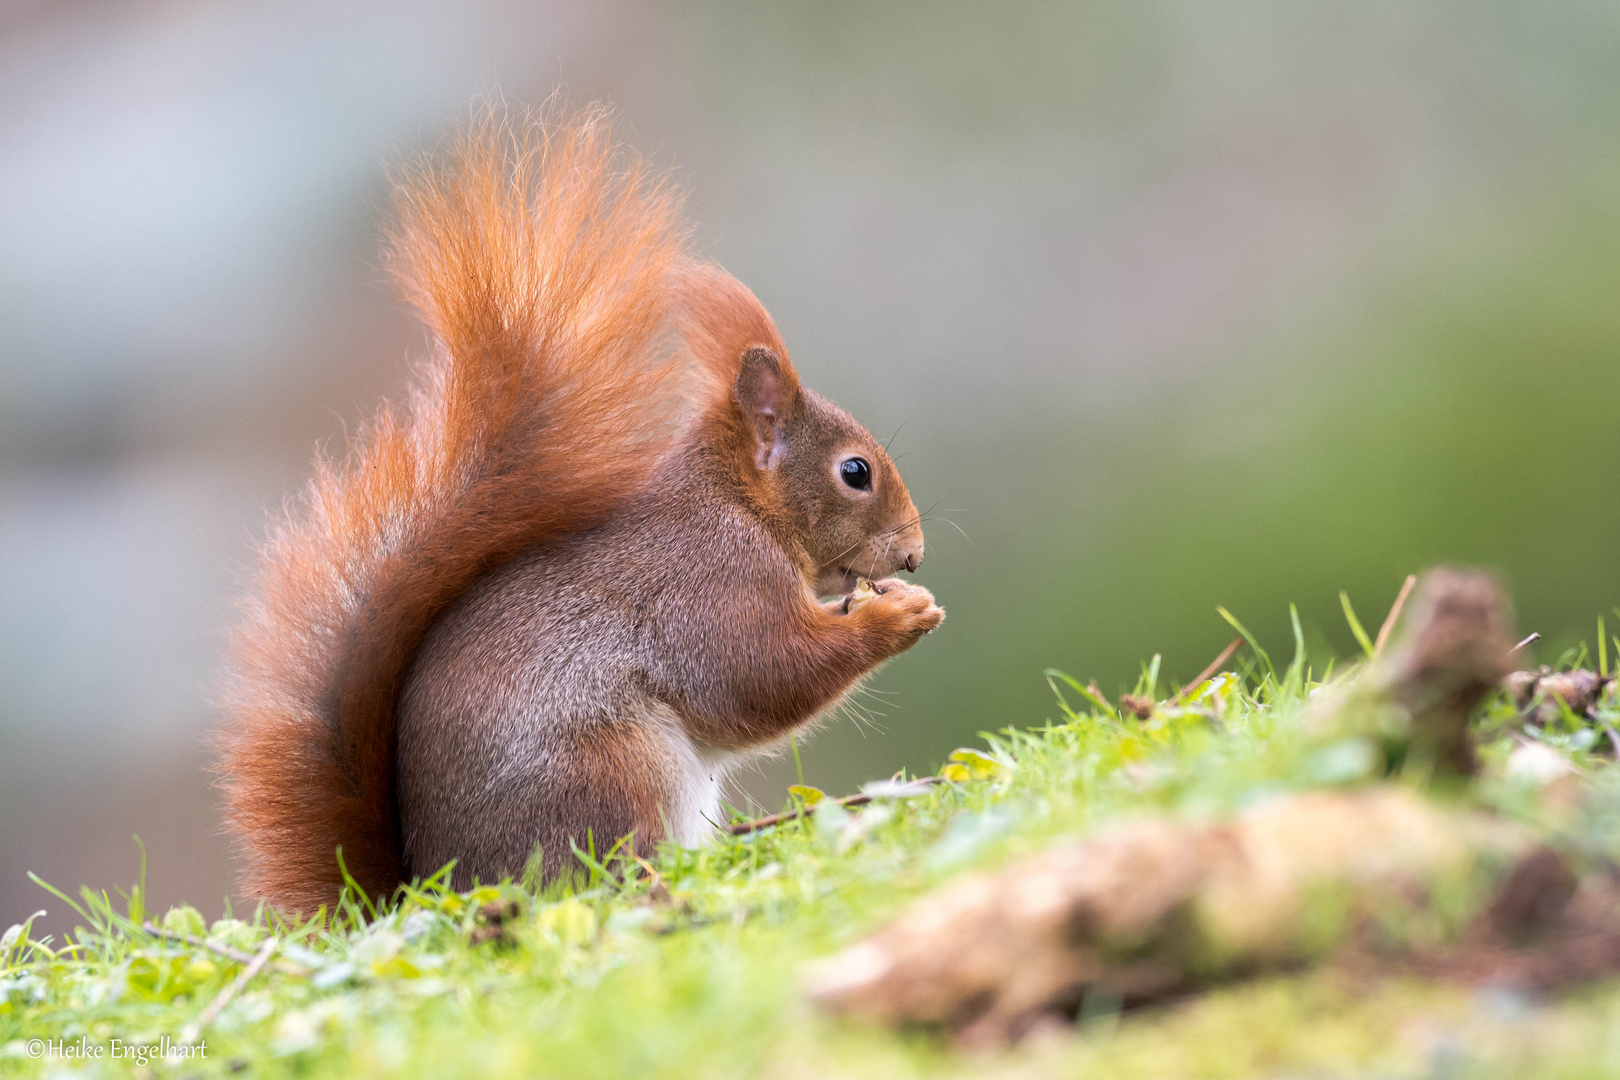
column 1166, row 305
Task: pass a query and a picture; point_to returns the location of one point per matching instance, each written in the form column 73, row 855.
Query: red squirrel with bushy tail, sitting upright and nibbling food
column 556, row 597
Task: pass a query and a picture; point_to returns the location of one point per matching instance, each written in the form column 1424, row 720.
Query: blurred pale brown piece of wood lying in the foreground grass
column 1159, row 908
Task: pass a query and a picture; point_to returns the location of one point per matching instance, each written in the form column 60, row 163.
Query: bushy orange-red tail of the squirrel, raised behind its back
column 540, row 260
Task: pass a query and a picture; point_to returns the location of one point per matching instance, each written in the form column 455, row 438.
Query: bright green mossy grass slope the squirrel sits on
column 599, row 980
